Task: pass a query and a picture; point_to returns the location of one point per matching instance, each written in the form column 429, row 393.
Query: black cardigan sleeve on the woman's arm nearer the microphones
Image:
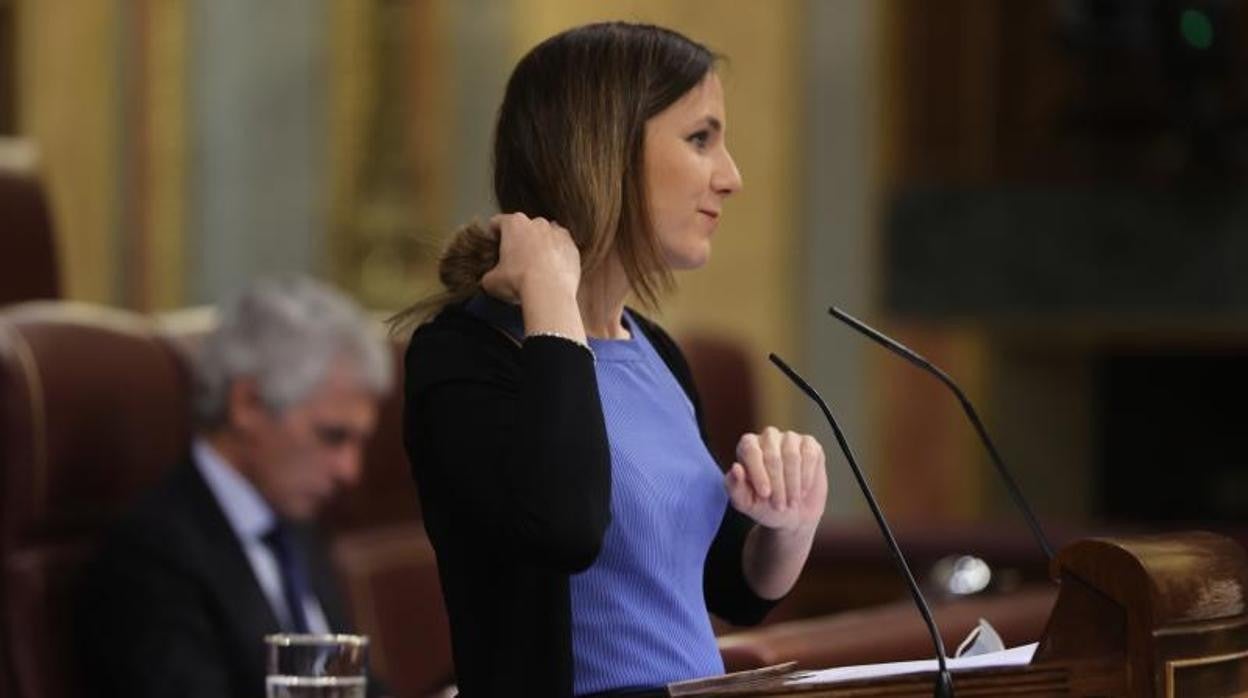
column 728, row 594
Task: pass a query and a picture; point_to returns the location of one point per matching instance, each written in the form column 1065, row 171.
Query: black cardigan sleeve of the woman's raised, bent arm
column 509, row 444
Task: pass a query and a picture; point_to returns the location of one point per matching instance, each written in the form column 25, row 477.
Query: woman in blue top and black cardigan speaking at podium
column 583, row 530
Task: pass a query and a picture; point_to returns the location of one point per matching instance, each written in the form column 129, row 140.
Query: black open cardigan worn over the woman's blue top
column 511, row 458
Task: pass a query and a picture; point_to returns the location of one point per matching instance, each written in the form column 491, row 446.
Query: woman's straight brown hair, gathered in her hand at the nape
column 570, row 148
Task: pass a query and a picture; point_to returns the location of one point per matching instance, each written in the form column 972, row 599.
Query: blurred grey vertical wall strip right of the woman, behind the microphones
column 841, row 174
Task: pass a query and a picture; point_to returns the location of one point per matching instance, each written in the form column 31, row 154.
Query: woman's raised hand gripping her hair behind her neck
column 536, row 258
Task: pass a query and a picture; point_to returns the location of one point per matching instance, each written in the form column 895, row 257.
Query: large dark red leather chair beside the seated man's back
column 93, row 409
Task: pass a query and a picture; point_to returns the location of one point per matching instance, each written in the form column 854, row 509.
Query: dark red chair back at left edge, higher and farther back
column 28, row 247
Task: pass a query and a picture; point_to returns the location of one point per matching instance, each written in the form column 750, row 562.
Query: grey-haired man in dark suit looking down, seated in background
column 222, row 554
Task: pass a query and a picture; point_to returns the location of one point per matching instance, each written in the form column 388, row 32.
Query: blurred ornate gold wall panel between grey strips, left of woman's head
column 391, row 145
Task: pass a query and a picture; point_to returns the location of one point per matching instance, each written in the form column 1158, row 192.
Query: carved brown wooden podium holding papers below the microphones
column 1144, row 616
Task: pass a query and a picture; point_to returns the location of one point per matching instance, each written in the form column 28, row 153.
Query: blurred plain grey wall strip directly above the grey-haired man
column 259, row 106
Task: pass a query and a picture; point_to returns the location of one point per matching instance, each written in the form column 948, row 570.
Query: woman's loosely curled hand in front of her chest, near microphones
column 779, row 480
